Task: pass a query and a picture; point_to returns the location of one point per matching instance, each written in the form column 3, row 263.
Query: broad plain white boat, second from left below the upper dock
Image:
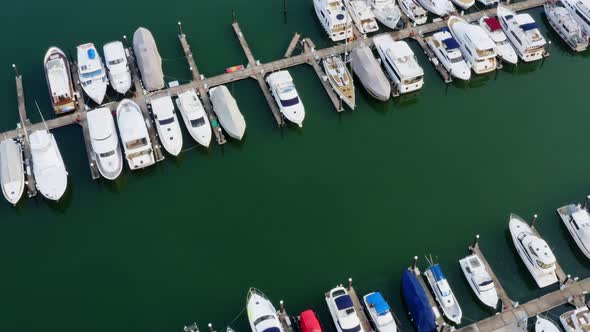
column 48, row 166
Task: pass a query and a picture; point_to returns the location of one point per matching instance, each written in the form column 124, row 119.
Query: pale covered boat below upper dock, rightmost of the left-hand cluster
column 228, row 113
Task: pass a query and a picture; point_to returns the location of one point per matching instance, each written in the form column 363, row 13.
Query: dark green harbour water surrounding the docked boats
column 293, row 211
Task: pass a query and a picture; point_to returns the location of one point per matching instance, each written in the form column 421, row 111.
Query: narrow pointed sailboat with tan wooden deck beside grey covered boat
column 340, row 79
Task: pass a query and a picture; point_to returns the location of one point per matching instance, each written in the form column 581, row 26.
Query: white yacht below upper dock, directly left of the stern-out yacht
column 105, row 142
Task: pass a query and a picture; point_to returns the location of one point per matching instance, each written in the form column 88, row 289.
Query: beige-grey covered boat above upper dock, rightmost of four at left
column 148, row 59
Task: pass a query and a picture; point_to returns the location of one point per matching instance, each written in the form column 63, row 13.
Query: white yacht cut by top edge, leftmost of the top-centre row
column 334, row 18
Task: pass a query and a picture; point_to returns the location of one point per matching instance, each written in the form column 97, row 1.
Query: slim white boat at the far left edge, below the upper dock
column 12, row 173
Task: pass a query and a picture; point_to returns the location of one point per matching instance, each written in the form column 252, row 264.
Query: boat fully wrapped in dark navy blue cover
column 417, row 303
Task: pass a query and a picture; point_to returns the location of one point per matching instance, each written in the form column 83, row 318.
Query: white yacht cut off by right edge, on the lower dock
column 577, row 221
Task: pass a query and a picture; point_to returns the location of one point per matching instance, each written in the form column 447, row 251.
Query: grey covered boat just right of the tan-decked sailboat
column 369, row 72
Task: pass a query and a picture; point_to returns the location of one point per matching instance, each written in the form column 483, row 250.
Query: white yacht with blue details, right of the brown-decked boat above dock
column 91, row 72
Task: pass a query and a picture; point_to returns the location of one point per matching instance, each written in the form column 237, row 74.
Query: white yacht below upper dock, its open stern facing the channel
column 134, row 135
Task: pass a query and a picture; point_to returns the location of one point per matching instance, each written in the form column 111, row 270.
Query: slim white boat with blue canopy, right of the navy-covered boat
column 443, row 293
